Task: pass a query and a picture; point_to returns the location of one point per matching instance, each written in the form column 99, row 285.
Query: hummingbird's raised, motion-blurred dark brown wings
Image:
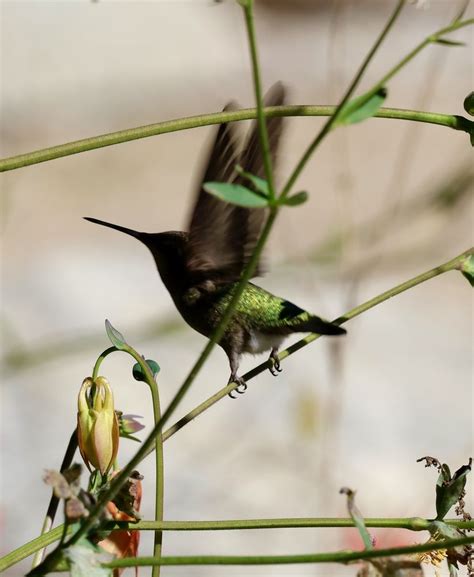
column 222, row 236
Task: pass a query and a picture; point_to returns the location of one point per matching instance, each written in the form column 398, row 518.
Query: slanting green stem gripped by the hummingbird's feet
column 450, row 265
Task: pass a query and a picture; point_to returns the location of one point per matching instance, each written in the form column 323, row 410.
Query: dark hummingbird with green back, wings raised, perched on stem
column 202, row 266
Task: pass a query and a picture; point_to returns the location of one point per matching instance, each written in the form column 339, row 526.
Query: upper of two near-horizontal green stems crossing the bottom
column 410, row 523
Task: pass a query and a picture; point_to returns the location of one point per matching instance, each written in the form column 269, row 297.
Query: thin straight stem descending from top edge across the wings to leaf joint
column 262, row 127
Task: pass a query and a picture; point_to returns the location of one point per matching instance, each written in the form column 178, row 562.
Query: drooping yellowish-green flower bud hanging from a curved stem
column 97, row 424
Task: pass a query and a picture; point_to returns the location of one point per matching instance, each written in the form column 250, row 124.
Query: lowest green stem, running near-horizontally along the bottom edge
column 335, row 557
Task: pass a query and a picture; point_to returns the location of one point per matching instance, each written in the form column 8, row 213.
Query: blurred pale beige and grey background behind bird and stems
column 388, row 200
